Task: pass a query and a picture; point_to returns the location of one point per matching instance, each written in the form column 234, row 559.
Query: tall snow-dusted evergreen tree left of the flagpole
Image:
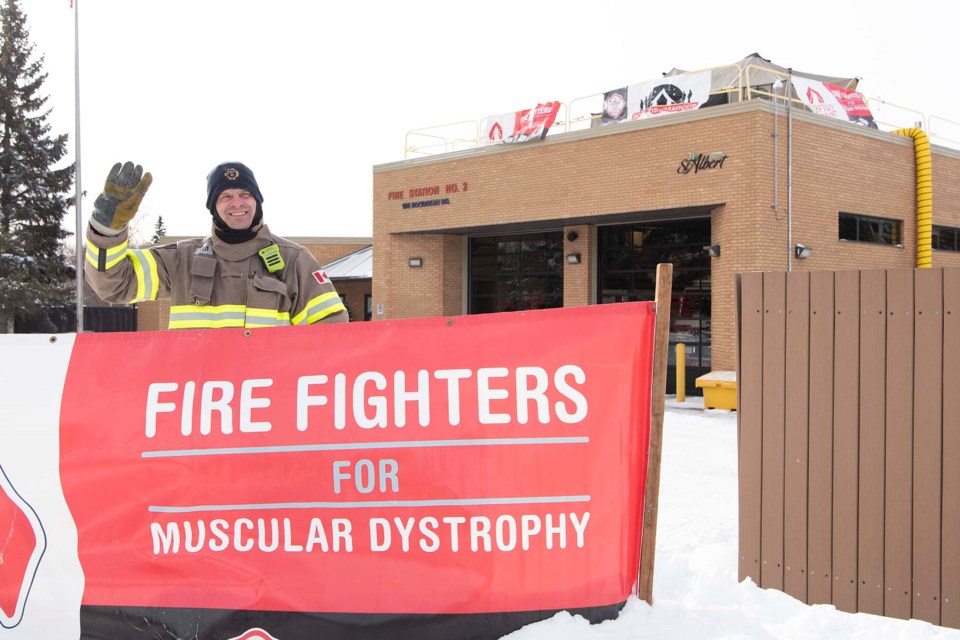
column 36, row 278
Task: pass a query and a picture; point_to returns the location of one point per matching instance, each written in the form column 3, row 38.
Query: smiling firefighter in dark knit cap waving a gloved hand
column 240, row 276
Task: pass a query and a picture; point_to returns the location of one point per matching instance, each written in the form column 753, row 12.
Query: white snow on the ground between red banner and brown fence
column 696, row 593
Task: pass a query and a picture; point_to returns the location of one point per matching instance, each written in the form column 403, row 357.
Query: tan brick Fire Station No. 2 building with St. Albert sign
column 583, row 217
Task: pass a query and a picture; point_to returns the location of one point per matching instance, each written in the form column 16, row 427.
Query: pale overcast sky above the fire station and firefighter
column 312, row 95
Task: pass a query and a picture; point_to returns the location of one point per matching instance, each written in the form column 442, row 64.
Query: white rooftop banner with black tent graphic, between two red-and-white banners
column 671, row 94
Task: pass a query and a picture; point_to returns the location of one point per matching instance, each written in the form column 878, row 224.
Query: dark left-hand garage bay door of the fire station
column 516, row 272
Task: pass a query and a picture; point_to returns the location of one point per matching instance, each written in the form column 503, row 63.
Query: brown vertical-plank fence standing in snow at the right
column 849, row 438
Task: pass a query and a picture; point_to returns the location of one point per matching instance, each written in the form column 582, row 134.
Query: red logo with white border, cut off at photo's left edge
column 22, row 543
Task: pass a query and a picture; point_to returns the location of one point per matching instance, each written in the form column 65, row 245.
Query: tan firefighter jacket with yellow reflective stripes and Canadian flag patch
column 213, row 284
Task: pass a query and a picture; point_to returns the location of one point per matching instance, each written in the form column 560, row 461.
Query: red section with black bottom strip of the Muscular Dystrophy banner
column 437, row 477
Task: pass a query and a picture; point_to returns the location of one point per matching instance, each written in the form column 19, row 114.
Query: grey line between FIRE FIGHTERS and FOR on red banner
column 412, row 444
